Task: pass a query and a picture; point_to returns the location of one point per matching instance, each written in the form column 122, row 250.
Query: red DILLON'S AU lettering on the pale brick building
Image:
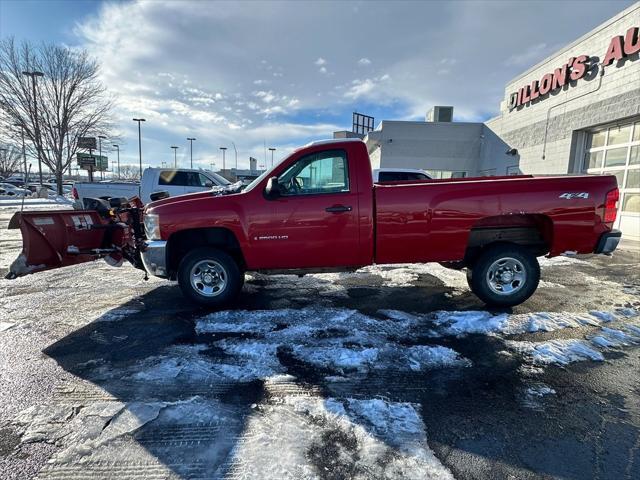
column 575, row 68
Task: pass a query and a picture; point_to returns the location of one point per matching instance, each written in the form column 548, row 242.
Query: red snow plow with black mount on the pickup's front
column 58, row 238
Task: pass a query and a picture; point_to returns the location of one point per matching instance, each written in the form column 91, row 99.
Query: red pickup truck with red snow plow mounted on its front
column 318, row 211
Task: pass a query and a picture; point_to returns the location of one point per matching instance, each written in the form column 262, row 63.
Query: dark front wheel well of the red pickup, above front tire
column 182, row 242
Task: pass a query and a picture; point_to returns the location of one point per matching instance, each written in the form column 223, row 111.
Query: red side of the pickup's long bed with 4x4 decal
column 432, row 220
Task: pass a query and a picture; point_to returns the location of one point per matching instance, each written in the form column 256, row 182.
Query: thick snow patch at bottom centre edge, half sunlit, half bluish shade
column 342, row 439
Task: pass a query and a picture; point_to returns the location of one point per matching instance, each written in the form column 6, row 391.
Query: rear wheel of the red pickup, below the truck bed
column 503, row 268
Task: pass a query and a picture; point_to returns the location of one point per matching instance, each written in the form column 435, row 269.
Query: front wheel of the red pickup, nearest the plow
column 221, row 268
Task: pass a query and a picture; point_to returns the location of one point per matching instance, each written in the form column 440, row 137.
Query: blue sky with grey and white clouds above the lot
column 280, row 74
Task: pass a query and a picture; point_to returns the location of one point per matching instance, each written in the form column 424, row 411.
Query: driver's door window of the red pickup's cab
column 323, row 172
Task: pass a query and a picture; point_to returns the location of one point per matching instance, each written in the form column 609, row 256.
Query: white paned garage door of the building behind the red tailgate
column 615, row 150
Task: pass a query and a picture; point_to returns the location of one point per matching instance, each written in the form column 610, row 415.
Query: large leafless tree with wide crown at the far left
column 71, row 101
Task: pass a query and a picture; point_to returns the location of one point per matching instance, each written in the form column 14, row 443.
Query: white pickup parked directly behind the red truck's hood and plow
column 154, row 180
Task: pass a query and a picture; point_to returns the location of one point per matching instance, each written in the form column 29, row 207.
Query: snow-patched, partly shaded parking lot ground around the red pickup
column 391, row 372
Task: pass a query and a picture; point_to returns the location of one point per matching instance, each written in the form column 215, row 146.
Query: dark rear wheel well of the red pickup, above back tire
column 534, row 232
